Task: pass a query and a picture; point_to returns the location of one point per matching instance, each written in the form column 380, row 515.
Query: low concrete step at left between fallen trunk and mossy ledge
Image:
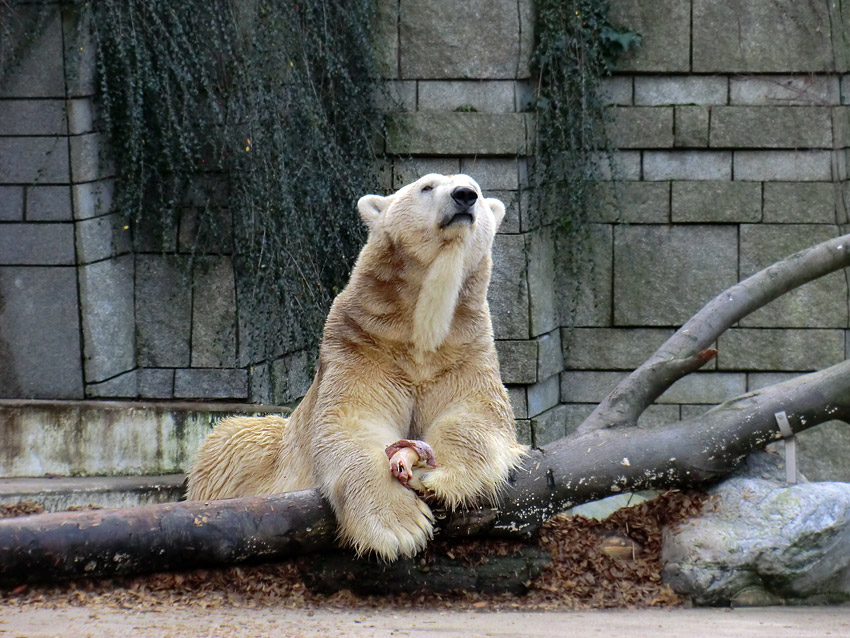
column 60, row 493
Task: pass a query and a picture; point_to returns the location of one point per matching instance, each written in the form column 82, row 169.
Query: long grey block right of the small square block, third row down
column 771, row 127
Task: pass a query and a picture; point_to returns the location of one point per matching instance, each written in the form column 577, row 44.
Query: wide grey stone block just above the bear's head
column 457, row 134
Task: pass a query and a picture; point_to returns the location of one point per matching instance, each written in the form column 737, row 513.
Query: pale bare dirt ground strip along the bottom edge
column 100, row 620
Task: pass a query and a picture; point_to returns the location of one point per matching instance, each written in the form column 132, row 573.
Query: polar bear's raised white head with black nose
column 433, row 212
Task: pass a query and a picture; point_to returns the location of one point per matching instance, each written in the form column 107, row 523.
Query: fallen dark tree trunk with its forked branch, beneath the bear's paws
column 609, row 456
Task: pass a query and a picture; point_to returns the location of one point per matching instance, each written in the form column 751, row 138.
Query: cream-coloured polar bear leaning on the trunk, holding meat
column 407, row 406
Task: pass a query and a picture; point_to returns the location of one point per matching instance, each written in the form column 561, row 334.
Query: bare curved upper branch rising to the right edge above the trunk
column 687, row 349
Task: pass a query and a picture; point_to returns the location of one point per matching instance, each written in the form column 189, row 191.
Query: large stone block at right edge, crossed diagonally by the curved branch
column 818, row 304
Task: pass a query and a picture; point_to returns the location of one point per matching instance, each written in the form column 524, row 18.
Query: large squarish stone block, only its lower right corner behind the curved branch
column 663, row 275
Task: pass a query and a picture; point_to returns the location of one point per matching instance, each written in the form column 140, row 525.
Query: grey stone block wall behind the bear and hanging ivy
column 731, row 127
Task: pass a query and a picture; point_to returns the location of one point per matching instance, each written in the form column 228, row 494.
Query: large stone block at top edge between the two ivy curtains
column 492, row 39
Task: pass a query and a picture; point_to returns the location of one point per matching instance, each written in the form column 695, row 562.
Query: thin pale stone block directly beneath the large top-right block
column 784, row 90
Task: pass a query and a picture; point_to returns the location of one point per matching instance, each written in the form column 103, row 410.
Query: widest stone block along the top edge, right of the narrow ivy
column 782, row 36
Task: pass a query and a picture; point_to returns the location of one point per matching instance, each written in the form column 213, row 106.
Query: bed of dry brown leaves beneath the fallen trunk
column 596, row 564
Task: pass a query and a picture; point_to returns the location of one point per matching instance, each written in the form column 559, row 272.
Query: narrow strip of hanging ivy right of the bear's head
column 577, row 47
